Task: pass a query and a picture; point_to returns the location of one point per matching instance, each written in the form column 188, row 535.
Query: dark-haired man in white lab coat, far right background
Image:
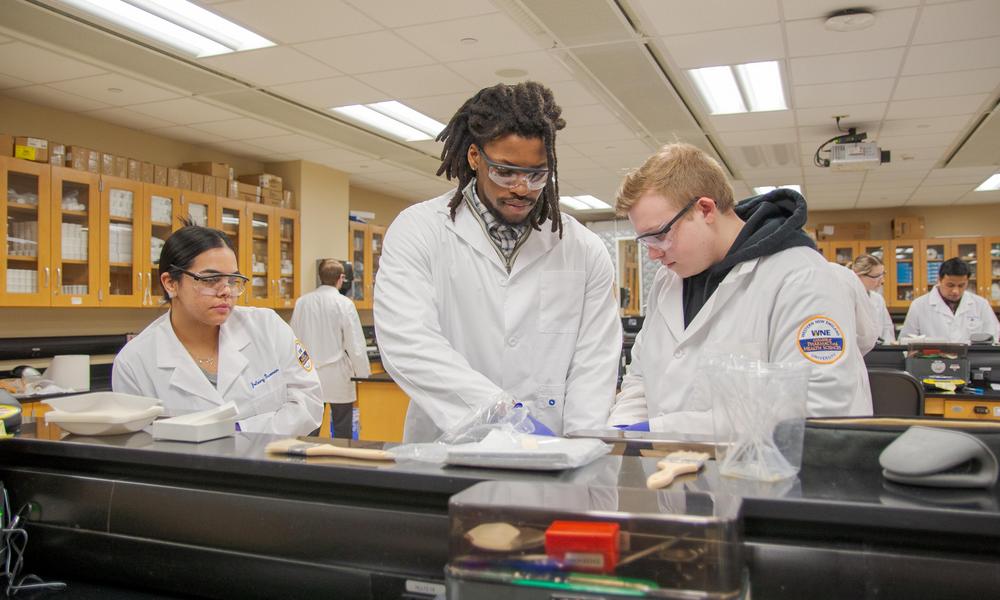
column 949, row 311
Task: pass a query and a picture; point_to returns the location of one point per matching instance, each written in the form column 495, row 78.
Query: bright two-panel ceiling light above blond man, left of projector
column 732, row 89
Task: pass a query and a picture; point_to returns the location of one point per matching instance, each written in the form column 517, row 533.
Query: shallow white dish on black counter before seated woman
column 102, row 413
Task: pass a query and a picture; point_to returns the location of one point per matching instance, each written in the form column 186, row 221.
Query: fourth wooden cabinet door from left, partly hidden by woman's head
column 160, row 204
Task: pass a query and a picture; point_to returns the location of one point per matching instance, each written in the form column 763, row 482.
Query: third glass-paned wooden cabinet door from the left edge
column 123, row 282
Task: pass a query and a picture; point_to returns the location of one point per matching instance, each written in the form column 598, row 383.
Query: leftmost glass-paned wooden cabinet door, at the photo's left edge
column 26, row 276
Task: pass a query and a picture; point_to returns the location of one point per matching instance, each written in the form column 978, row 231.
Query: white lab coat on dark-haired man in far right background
column 930, row 316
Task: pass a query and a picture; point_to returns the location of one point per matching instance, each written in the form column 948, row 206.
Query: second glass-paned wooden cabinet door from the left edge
column 75, row 234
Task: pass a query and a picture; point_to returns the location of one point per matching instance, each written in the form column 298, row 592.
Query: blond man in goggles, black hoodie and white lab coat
column 732, row 278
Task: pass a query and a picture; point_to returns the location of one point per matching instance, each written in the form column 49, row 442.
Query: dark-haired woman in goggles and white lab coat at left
column 206, row 351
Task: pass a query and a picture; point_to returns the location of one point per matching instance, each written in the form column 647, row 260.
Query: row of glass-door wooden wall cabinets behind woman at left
column 75, row 238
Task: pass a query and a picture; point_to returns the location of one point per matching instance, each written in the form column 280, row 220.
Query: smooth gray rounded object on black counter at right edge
column 934, row 457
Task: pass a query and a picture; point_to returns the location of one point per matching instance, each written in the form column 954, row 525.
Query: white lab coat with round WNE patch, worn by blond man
column 762, row 305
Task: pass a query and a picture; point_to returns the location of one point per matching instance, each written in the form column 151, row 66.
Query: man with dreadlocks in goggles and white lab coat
column 487, row 296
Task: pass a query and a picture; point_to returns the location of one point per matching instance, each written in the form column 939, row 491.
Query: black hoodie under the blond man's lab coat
column 773, row 222
